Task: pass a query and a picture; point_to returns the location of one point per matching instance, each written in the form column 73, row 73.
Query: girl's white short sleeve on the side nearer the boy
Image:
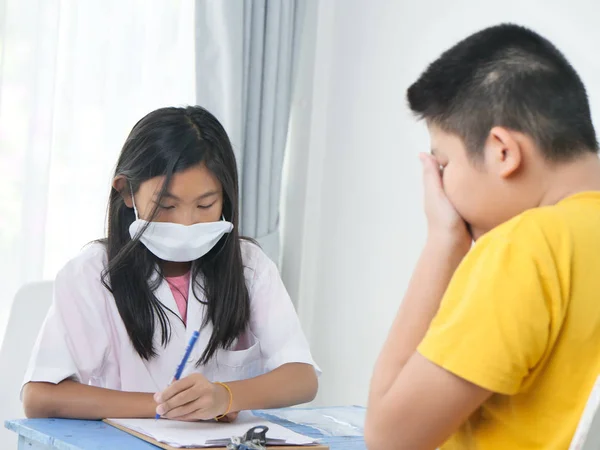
column 274, row 320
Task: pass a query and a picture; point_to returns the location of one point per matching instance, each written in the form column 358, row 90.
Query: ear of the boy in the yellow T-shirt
column 503, row 152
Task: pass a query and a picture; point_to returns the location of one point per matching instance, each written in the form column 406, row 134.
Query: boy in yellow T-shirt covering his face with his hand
column 498, row 348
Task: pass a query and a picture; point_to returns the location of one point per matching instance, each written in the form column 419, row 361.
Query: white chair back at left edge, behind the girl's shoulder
column 27, row 314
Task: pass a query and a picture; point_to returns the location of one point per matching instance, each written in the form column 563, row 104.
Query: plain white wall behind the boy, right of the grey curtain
column 353, row 221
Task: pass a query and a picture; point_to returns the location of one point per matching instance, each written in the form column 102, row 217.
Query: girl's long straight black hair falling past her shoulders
column 164, row 142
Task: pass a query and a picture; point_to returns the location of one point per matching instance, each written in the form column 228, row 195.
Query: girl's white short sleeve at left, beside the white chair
column 73, row 341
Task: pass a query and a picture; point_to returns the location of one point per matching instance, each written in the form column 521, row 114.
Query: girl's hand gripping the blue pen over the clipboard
column 193, row 398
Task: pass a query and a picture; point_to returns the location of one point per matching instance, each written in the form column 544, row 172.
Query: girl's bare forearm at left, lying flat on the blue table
column 72, row 400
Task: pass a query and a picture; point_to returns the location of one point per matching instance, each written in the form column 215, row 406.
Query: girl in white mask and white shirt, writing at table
column 173, row 262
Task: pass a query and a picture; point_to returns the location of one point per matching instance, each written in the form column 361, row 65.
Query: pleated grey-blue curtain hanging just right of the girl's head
column 245, row 59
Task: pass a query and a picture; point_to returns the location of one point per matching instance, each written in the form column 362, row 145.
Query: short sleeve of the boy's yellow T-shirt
column 496, row 318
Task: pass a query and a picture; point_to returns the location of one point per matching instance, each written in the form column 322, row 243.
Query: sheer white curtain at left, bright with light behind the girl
column 75, row 76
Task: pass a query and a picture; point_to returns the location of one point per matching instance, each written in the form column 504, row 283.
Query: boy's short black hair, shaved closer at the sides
column 510, row 76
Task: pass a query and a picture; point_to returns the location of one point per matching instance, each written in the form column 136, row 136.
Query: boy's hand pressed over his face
column 444, row 222
